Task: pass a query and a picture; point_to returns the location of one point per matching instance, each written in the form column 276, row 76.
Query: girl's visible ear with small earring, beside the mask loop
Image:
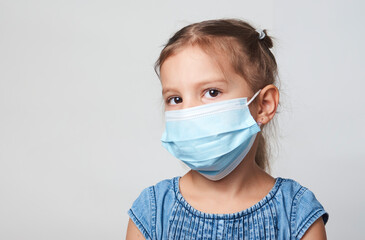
column 267, row 104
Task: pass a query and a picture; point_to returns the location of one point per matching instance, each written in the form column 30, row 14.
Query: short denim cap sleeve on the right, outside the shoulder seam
column 306, row 209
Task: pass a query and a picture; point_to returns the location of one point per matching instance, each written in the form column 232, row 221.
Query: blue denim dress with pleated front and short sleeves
column 286, row 212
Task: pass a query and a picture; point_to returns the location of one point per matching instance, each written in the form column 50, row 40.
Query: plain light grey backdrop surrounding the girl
column 81, row 108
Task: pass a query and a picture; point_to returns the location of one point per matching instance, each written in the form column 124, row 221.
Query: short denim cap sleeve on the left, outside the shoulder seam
column 143, row 212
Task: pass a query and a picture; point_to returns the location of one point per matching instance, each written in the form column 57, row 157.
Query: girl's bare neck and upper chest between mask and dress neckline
column 242, row 188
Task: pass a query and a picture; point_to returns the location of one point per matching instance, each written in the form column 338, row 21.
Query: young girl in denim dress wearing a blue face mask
column 218, row 80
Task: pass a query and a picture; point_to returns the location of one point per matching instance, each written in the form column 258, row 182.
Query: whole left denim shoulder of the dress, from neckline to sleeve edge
column 145, row 209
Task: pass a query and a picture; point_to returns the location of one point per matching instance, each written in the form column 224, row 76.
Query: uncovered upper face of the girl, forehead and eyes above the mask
column 191, row 78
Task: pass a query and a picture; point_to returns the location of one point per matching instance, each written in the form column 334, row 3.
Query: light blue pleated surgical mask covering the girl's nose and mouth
column 213, row 138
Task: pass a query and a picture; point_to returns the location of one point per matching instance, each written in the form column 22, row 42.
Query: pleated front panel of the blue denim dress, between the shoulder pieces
column 256, row 222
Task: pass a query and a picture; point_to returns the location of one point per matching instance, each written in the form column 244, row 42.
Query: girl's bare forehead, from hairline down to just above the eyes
column 192, row 68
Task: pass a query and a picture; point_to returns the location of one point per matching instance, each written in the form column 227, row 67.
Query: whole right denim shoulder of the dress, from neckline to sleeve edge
column 302, row 208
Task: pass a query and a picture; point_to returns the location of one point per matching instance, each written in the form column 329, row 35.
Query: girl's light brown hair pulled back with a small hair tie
column 247, row 50
